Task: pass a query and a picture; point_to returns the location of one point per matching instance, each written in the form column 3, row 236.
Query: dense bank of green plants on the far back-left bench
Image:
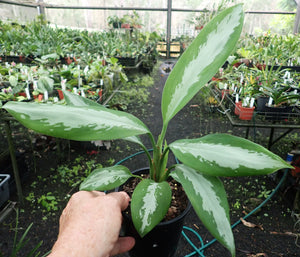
column 39, row 39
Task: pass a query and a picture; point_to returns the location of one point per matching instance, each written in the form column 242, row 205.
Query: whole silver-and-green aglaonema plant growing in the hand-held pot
column 203, row 160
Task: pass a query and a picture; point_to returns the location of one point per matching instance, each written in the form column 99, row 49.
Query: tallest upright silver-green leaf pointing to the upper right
column 201, row 60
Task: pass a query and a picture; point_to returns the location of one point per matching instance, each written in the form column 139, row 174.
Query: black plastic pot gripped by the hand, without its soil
column 162, row 241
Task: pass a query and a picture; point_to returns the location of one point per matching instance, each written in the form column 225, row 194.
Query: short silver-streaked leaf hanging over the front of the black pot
column 150, row 203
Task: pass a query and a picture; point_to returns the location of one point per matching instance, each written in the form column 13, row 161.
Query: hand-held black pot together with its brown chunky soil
column 162, row 241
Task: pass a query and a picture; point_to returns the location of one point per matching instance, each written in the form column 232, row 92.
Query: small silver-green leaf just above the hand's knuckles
column 106, row 178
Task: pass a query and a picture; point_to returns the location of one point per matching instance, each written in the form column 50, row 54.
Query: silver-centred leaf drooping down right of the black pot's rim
column 208, row 198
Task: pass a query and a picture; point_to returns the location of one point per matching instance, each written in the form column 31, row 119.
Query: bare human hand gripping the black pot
column 90, row 226
